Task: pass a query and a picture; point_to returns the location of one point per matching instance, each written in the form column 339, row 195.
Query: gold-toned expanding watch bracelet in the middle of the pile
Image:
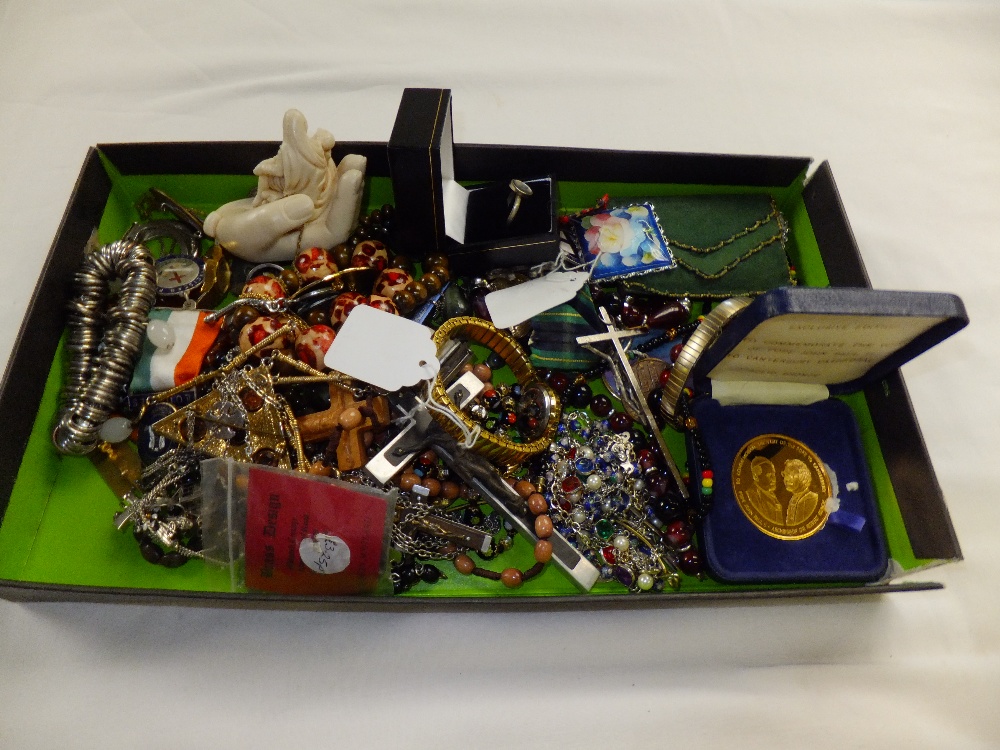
column 499, row 449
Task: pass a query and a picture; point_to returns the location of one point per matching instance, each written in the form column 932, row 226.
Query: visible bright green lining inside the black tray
column 58, row 525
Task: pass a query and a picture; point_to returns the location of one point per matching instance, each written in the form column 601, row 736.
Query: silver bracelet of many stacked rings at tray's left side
column 101, row 365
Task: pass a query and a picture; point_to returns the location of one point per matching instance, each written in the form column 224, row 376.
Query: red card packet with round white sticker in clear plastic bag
column 295, row 533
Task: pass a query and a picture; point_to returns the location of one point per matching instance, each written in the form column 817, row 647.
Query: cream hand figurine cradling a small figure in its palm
column 303, row 199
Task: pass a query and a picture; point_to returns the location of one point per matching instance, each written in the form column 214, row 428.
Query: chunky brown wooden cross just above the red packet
column 324, row 425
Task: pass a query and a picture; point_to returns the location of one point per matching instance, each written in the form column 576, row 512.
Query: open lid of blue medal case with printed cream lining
column 842, row 338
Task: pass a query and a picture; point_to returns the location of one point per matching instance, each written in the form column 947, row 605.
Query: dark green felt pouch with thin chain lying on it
column 724, row 246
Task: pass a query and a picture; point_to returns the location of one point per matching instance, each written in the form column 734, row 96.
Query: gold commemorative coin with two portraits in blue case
column 781, row 486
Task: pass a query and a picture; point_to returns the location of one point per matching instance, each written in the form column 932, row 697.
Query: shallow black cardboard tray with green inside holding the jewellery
column 51, row 551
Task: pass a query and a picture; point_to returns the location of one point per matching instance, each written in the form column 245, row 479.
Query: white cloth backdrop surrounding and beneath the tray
column 902, row 97
